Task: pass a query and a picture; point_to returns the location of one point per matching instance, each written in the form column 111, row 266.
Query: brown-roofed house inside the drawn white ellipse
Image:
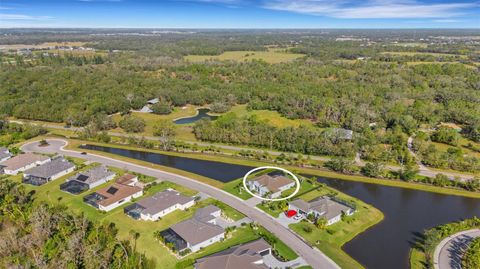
column 271, row 186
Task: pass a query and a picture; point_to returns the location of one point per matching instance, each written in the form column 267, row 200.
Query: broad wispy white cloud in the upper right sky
column 371, row 9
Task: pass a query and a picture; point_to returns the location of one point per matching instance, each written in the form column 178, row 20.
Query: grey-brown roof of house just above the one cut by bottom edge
column 196, row 229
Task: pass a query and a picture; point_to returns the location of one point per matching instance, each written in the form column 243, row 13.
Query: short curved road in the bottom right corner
column 448, row 254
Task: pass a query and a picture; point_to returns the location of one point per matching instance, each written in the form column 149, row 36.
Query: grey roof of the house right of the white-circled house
column 323, row 205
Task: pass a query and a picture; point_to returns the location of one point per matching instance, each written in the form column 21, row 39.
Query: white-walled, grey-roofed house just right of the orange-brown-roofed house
column 159, row 205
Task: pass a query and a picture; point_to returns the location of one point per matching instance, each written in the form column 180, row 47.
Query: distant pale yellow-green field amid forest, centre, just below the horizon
column 272, row 56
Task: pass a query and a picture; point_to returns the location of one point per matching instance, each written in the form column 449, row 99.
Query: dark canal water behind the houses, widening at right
column 386, row 245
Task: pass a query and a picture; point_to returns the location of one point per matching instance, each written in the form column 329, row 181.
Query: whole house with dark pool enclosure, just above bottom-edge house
column 197, row 232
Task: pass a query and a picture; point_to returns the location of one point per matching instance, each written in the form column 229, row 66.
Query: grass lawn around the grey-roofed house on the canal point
column 331, row 239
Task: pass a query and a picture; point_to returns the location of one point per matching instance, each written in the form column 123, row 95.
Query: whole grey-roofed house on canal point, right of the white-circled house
column 322, row 207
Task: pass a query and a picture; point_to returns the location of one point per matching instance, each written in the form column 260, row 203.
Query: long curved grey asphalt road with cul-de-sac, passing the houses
column 311, row 255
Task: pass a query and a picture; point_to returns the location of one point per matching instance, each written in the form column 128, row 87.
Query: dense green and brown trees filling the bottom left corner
column 37, row 235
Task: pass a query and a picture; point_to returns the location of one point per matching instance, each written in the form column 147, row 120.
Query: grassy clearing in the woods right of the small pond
column 272, row 117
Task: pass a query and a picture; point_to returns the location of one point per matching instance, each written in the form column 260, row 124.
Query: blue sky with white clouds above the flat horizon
column 240, row 13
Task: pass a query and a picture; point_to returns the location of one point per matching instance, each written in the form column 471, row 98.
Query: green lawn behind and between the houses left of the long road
column 146, row 243
